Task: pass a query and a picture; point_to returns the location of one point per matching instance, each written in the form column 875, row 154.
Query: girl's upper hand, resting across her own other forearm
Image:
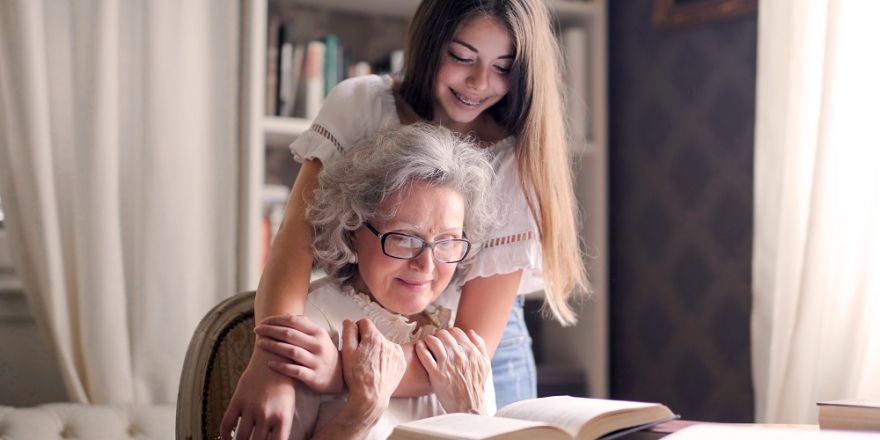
column 312, row 355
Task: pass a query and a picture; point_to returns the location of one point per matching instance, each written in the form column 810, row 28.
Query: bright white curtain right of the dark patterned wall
column 816, row 267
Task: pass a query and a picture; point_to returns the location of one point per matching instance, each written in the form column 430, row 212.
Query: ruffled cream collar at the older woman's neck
column 398, row 328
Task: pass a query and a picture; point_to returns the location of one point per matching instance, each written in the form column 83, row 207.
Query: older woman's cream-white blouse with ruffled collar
column 329, row 304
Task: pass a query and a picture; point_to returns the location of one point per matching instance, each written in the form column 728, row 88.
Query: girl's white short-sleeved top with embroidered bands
column 358, row 107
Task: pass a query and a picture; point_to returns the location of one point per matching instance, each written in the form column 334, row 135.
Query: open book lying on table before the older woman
column 558, row 417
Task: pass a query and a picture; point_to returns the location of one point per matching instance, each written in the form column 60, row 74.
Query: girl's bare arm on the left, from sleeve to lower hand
column 264, row 400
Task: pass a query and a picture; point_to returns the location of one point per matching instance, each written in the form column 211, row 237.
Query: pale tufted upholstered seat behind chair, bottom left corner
column 78, row 421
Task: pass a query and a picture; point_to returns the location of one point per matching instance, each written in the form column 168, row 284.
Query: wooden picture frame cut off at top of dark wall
column 676, row 14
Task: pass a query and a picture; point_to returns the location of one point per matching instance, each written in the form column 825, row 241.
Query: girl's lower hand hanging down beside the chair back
column 263, row 400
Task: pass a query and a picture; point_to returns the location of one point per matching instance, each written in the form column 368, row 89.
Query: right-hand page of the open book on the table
column 568, row 412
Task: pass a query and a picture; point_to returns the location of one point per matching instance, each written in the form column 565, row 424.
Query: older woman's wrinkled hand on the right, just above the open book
column 458, row 366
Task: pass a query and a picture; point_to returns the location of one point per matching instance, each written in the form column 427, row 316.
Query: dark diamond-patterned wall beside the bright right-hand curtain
column 681, row 113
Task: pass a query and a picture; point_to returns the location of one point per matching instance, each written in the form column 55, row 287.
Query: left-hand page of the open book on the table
column 471, row 426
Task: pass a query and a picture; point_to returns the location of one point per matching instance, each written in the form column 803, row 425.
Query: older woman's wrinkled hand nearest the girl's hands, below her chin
column 372, row 365
